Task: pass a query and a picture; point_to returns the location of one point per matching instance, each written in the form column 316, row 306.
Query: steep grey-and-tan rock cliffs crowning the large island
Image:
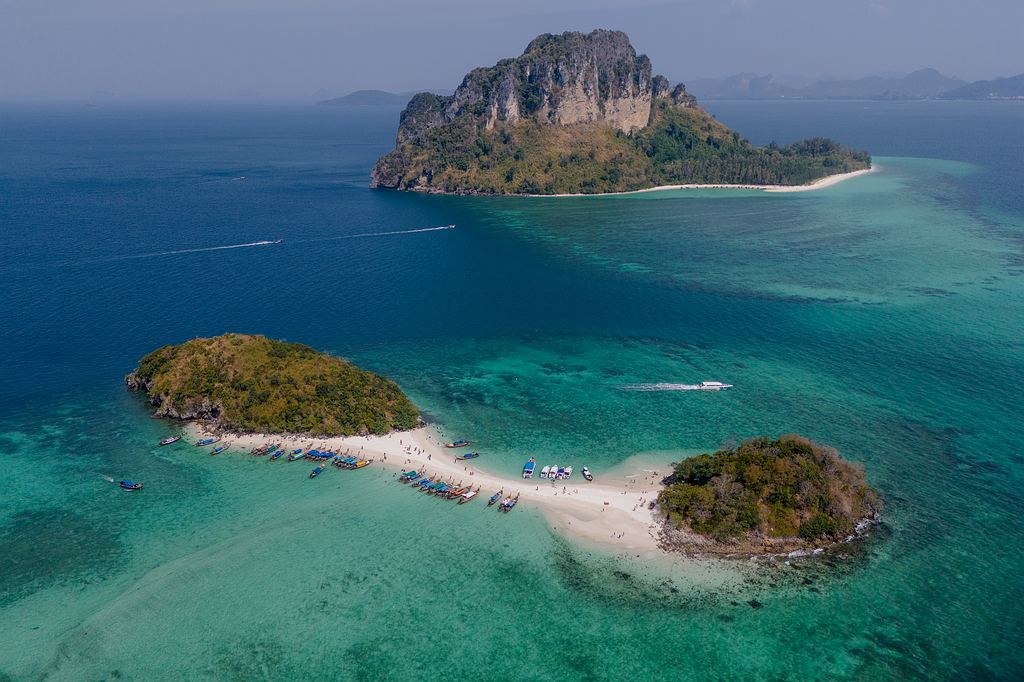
column 561, row 80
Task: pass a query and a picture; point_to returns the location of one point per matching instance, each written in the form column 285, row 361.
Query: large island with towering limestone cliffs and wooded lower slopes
column 584, row 114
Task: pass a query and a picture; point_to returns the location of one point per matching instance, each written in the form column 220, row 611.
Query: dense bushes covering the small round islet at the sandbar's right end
column 790, row 489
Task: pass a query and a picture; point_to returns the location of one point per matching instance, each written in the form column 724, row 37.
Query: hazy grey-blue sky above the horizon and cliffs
column 293, row 49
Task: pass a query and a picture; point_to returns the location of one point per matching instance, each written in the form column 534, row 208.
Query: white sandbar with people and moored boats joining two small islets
column 612, row 511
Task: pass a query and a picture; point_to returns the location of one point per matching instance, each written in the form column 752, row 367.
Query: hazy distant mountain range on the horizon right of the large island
column 922, row 84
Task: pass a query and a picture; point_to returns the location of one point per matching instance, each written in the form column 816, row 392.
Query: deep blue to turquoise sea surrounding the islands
column 882, row 316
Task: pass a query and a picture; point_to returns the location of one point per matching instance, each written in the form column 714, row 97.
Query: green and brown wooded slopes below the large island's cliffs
column 680, row 147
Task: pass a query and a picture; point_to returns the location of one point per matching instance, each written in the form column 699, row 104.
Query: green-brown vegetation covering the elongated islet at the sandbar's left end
column 255, row 385
